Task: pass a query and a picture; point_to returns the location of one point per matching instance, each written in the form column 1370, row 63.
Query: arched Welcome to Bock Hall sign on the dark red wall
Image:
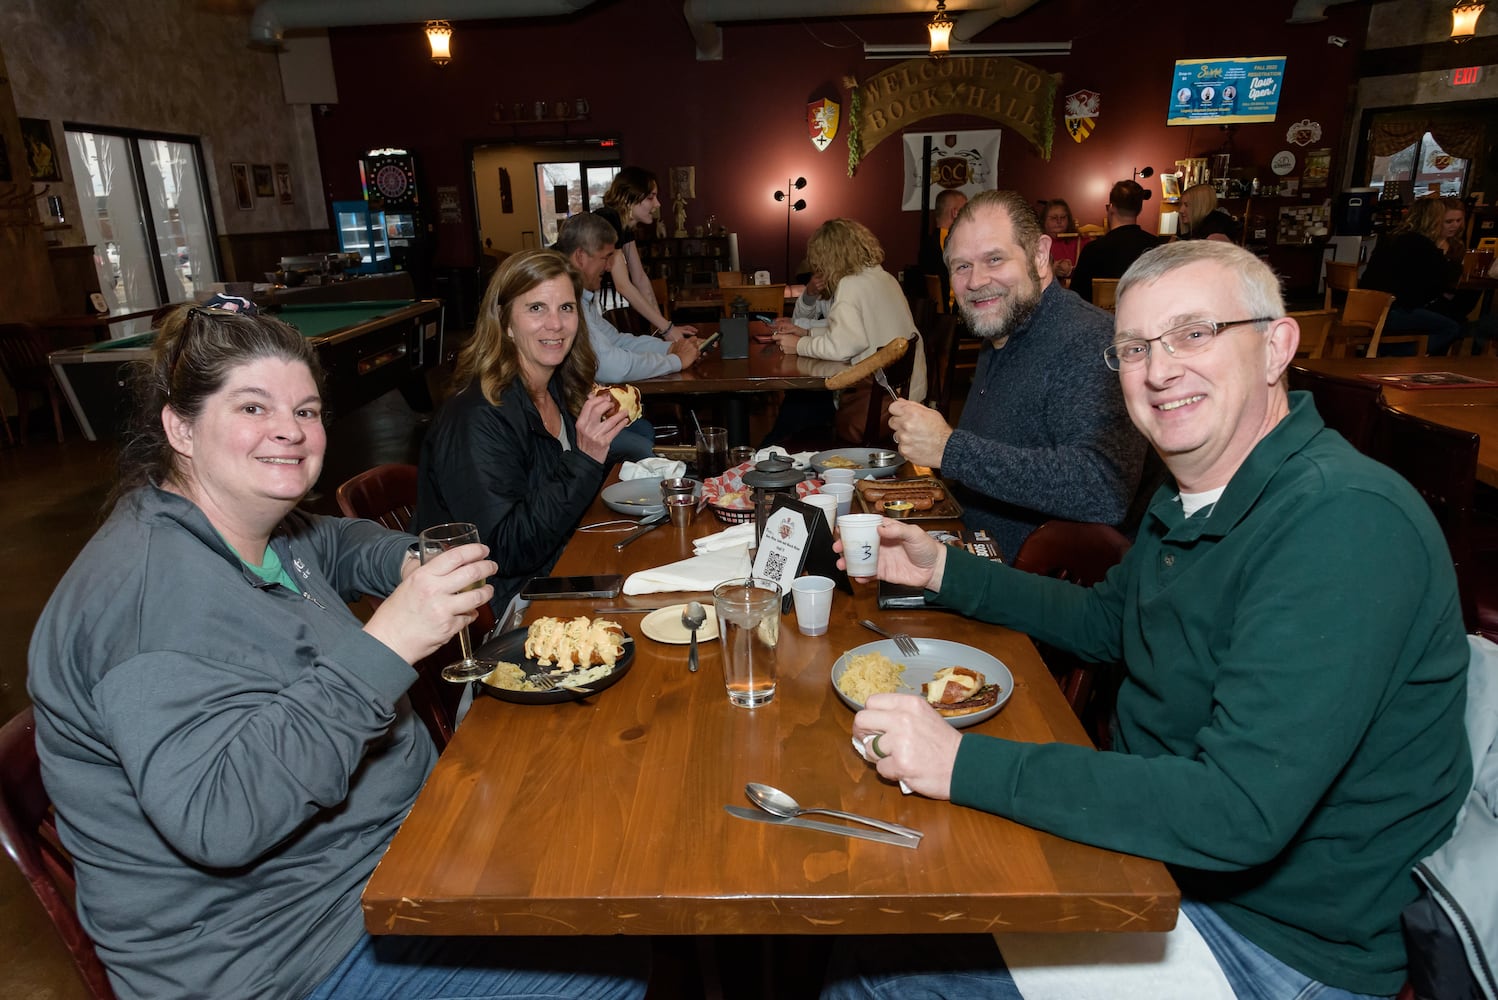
column 1004, row 91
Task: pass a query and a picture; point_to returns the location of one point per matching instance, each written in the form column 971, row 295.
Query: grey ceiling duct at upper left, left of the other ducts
column 272, row 20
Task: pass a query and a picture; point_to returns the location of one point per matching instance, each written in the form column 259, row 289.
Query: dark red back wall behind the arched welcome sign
column 742, row 122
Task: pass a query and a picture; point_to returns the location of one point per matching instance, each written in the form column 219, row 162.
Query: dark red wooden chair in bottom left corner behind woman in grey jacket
column 29, row 833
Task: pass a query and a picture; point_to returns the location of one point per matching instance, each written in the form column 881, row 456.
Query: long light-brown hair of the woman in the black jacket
column 491, row 356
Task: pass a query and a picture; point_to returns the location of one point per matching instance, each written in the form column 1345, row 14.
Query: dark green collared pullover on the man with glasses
column 1291, row 731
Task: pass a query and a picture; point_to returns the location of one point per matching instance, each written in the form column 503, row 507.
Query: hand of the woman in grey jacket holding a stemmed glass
column 435, row 601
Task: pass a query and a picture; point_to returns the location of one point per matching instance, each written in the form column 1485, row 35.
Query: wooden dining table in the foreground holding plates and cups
column 606, row 815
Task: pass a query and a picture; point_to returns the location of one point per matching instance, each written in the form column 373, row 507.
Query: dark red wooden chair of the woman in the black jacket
column 389, row 495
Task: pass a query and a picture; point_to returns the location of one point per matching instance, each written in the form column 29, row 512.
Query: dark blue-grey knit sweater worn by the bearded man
column 1045, row 433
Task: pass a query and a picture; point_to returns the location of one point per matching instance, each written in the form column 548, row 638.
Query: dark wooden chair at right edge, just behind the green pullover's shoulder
column 1442, row 465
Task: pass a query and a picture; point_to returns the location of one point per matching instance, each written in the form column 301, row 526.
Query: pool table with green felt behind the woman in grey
column 366, row 351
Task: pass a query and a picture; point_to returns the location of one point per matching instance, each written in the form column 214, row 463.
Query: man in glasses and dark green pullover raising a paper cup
column 1289, row 734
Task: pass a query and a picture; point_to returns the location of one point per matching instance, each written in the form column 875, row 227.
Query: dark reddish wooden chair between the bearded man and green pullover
column 1082, row 555
